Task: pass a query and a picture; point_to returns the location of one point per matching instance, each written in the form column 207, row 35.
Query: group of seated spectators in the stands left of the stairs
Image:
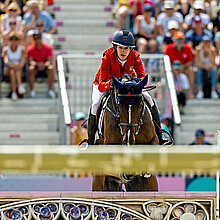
column 26, row 42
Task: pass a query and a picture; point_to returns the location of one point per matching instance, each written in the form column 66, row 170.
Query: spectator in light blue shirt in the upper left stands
column 30, row 18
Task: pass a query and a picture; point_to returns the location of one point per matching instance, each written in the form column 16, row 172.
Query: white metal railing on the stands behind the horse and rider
column 65, row 109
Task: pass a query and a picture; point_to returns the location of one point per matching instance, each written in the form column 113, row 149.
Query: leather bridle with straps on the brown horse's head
column 116, row 113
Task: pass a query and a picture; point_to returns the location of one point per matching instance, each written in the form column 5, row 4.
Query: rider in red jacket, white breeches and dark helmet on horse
column 118, row 60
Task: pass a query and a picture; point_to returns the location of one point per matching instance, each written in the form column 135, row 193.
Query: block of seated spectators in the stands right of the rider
column 188, row 31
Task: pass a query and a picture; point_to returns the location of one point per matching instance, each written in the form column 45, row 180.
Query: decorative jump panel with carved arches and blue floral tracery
column 109, row 208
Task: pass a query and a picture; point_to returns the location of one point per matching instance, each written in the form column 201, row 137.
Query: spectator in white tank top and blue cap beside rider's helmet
column 145, row 31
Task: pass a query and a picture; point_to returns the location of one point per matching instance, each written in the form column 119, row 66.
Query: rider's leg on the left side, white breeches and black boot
column 96, row 97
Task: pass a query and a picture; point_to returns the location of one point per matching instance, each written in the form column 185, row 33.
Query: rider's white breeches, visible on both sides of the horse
column 97, row 95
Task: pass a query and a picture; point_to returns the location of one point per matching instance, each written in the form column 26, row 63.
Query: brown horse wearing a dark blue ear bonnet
column 127, row 120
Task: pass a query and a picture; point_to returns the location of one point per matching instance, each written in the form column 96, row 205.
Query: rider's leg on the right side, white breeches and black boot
column 156, row 117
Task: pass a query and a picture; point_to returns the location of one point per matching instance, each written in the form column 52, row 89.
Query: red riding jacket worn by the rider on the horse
column 111, row 66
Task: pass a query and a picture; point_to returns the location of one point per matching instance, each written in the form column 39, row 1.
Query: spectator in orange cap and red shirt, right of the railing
column 182, row 52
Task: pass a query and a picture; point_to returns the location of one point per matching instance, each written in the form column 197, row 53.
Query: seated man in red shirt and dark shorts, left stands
column 40, row 61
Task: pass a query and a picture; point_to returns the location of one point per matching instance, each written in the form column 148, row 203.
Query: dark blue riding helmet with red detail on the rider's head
column 124, row 38
